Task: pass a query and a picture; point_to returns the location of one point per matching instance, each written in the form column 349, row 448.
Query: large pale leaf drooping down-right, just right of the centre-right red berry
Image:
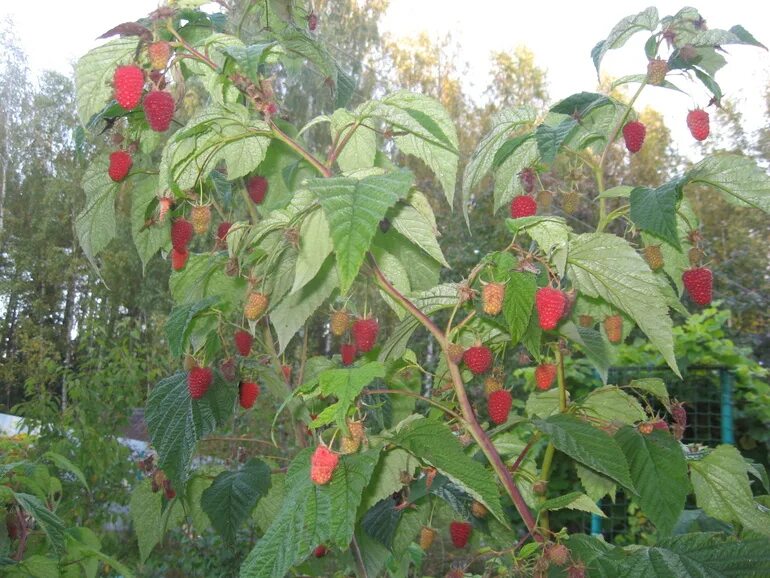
column 606, row 266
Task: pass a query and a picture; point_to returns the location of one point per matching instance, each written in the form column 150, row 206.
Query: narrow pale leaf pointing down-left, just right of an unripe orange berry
column 291, row 313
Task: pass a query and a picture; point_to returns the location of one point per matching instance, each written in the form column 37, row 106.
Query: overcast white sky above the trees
column 560, row 33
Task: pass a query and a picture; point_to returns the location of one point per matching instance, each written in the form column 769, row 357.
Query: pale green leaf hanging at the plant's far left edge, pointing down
column 95, row 225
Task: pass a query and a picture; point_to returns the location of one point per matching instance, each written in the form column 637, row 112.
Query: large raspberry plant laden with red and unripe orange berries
column 343, row 236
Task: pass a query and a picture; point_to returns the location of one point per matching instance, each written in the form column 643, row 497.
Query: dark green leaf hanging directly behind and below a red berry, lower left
column 176, row 422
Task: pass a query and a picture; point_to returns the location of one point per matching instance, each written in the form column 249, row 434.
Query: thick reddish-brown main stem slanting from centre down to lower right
column 478, row 433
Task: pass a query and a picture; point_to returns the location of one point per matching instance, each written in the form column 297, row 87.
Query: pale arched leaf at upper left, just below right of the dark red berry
column 220, row 133
